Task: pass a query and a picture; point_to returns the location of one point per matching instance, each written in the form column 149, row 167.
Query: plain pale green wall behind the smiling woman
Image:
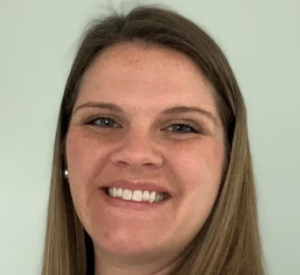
column 261, row 39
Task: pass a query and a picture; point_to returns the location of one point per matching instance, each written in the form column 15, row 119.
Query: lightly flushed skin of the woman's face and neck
column 143, row 144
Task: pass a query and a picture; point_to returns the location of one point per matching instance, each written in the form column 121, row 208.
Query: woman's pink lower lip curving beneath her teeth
column 132, row 205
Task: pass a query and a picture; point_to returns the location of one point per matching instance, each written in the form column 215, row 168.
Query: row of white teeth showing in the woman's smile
column 136, row 195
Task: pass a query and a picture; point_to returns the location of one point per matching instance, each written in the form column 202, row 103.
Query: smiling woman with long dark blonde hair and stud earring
column 152, row 169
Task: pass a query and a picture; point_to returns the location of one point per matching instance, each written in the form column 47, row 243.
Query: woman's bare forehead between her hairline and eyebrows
column 143, row 76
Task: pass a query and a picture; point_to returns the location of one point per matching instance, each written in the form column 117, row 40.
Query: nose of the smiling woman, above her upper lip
column 137, row 150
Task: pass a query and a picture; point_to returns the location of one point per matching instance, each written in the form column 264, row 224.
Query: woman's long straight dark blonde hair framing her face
column 228, row 243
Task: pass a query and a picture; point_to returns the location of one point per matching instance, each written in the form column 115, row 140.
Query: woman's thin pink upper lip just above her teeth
column 137, row 185
